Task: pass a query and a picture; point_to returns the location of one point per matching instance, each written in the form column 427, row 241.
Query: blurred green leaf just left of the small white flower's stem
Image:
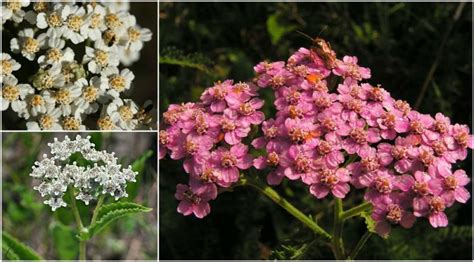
column 65, row 241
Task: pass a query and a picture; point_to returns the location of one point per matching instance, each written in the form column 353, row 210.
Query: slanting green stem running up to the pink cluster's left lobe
column 273, row 195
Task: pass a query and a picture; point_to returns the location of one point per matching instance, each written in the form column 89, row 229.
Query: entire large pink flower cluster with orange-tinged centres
column 356, row 136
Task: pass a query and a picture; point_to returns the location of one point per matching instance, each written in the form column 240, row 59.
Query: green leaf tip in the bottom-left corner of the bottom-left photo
column 13, row 249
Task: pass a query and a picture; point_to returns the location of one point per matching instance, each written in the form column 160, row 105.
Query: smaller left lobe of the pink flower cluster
column 208, row 136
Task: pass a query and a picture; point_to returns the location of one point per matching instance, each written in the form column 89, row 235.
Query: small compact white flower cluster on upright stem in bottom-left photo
column 58, row 174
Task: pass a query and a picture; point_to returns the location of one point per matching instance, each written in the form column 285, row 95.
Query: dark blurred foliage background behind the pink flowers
column 205, row 42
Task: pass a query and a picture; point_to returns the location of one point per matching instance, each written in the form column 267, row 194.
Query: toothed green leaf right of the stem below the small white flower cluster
column 111, row 212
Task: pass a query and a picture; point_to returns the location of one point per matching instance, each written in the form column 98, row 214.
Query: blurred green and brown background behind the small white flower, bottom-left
column 53, row 234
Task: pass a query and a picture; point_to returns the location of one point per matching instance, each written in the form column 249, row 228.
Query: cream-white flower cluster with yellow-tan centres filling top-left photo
column 65, row 89
